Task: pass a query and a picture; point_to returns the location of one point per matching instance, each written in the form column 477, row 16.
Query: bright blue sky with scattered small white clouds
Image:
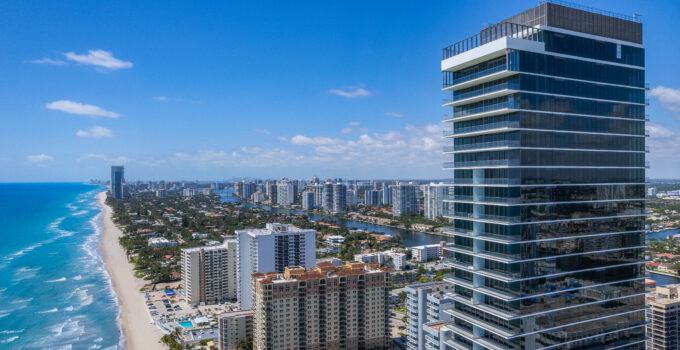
column 213, row 90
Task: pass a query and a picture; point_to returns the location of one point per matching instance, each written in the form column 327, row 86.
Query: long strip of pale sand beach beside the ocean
column 139, row 331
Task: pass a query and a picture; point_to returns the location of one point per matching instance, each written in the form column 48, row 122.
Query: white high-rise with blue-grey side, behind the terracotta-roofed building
column 272, row 248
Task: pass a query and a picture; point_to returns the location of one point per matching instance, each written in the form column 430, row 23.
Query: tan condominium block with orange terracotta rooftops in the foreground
column 329, row 307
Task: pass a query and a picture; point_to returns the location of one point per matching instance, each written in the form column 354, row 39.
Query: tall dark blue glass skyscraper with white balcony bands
column 547, row 147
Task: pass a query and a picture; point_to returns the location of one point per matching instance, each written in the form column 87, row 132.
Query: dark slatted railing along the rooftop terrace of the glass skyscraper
column 492, row 33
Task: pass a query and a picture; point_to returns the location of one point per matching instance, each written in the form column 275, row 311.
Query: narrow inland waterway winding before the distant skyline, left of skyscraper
column 408, row 238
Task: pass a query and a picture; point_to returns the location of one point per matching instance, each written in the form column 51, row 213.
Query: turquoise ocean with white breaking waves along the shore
column 54, row 290
